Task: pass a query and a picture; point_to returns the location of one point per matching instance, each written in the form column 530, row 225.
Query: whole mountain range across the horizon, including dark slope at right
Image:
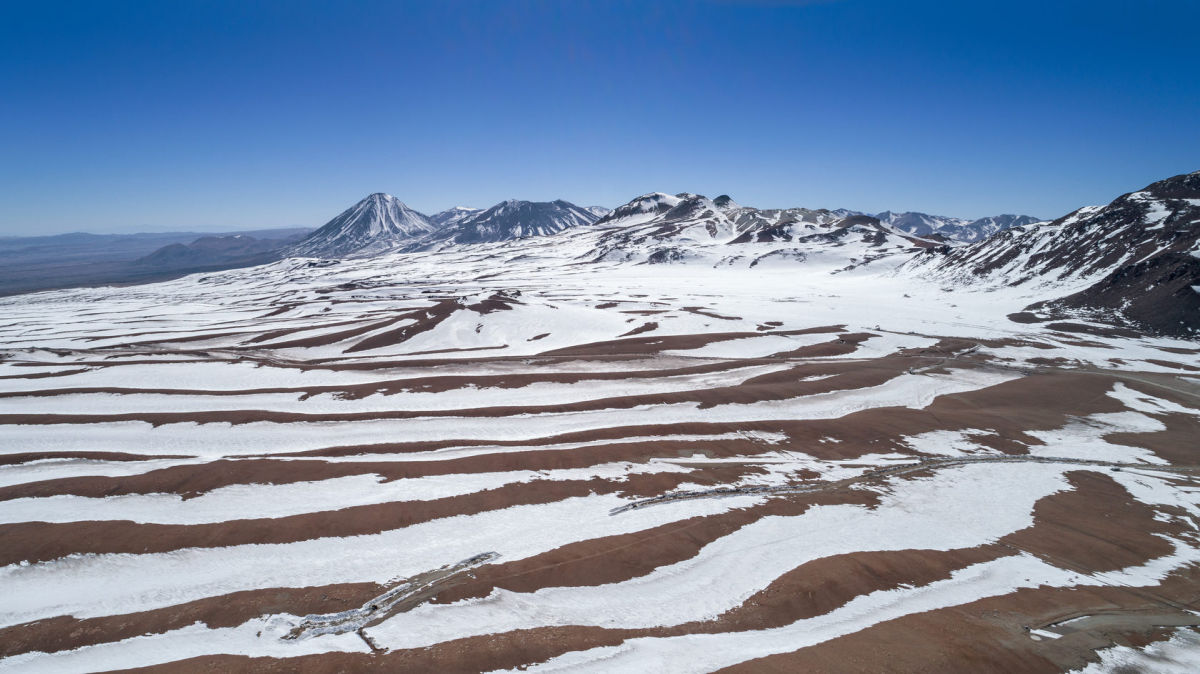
column 1136, row 261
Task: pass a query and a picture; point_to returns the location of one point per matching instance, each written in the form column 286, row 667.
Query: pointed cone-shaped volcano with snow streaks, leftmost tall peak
column 376, row 225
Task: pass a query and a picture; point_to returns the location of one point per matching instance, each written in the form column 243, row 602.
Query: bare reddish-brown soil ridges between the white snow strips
column 1094, row 527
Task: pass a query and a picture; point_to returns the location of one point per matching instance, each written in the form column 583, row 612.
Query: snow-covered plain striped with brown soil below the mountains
column 230, row 435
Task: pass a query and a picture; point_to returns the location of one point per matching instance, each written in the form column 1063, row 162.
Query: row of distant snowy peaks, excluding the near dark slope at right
column 650, row 228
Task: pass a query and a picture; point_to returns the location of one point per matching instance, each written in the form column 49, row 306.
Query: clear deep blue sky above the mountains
column 122, row 116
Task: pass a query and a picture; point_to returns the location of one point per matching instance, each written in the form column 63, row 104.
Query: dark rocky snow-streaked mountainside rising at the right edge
column 1137, row 257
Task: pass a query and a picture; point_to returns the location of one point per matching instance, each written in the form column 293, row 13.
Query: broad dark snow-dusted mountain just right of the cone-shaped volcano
column 506, row 221
